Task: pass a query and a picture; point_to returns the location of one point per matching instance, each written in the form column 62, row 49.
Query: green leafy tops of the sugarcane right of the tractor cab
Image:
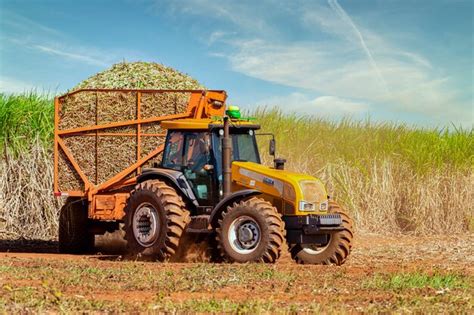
column 362, row 142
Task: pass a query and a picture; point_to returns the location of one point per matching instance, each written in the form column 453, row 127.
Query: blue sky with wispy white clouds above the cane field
column 406, row 61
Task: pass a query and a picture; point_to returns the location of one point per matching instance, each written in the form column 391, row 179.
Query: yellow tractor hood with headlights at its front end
column 306, row 193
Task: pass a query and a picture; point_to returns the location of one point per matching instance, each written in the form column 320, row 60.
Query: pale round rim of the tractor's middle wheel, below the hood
column 244, row 235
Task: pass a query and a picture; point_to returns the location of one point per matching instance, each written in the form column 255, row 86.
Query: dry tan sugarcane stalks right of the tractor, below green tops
column 389, row 198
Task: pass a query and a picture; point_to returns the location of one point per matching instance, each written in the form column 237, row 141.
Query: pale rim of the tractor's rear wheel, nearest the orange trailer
column 145, row 225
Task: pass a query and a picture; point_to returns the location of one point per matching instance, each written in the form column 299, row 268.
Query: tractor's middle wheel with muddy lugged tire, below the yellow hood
column 262, row 216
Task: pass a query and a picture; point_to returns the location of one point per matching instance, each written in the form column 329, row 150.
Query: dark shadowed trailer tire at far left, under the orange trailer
column 73, row 235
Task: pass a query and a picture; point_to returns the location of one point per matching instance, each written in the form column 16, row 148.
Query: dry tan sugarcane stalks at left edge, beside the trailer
column 27, row 206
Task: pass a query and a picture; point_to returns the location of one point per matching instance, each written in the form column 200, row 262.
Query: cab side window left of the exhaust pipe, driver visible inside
column 190, row 153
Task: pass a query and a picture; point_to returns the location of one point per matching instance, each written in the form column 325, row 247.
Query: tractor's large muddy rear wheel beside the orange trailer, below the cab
column 155, row 220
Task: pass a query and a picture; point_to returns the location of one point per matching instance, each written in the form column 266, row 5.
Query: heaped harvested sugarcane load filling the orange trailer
column 118, row 94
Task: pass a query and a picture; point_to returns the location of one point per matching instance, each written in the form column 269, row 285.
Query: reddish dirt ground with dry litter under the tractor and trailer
column 372, row 255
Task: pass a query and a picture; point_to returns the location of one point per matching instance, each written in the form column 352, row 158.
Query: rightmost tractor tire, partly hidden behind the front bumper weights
column 336, row 251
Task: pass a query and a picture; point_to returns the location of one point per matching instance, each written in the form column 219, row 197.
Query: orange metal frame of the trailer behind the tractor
column 106, row 199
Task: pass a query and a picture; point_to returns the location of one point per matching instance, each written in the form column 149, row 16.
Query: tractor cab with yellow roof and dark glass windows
column 194, row 148
